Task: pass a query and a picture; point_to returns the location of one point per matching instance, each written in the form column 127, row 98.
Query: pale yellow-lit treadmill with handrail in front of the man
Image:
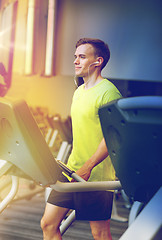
column 25, row 153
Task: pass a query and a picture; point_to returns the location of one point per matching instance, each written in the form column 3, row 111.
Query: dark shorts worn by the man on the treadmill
column 91, row 206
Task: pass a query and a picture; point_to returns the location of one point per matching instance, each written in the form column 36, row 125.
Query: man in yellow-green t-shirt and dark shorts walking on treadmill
column 89, row 156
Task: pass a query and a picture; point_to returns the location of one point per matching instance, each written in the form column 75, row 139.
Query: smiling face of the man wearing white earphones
column 84, row 57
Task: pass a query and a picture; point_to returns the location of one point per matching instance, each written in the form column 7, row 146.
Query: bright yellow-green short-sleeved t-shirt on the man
column 87, row 132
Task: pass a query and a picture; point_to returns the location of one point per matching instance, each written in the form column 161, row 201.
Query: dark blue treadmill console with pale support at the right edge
column 132, row 128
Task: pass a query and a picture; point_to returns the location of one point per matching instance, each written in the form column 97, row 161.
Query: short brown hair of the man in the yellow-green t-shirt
column 100, row 47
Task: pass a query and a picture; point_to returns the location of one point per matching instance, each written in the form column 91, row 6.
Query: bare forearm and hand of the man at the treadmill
column 97, row 157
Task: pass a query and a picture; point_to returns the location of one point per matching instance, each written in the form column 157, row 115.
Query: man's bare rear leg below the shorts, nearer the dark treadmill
column 101, row 230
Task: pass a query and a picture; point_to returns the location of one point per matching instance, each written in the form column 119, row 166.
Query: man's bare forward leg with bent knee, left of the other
column 51, row 221
